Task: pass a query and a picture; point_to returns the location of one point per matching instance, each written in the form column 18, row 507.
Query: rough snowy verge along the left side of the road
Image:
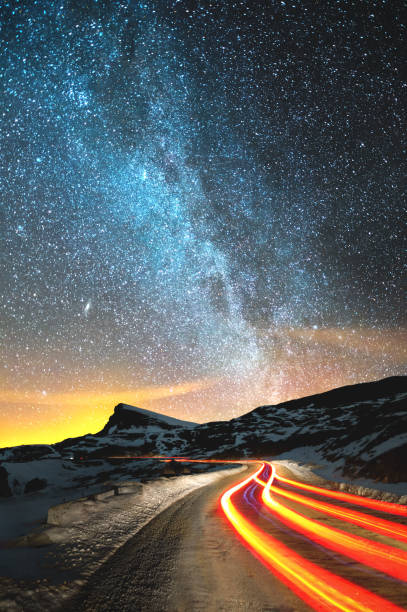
column 42, row 578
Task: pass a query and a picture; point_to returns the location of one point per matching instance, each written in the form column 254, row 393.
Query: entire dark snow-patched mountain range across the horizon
column 360, row 430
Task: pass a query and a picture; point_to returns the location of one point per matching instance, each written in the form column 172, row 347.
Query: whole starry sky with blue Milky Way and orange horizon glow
column 201, row 206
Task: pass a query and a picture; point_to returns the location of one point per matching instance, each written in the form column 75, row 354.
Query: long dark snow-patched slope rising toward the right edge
column 361, row 428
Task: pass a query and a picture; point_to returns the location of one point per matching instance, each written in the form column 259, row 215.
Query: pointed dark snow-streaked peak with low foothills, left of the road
column 130, row 430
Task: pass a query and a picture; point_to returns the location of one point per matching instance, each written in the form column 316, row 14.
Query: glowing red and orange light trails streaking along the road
column 320, row 588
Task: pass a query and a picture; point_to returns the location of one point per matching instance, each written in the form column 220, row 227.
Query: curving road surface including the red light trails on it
column 269, row 546
